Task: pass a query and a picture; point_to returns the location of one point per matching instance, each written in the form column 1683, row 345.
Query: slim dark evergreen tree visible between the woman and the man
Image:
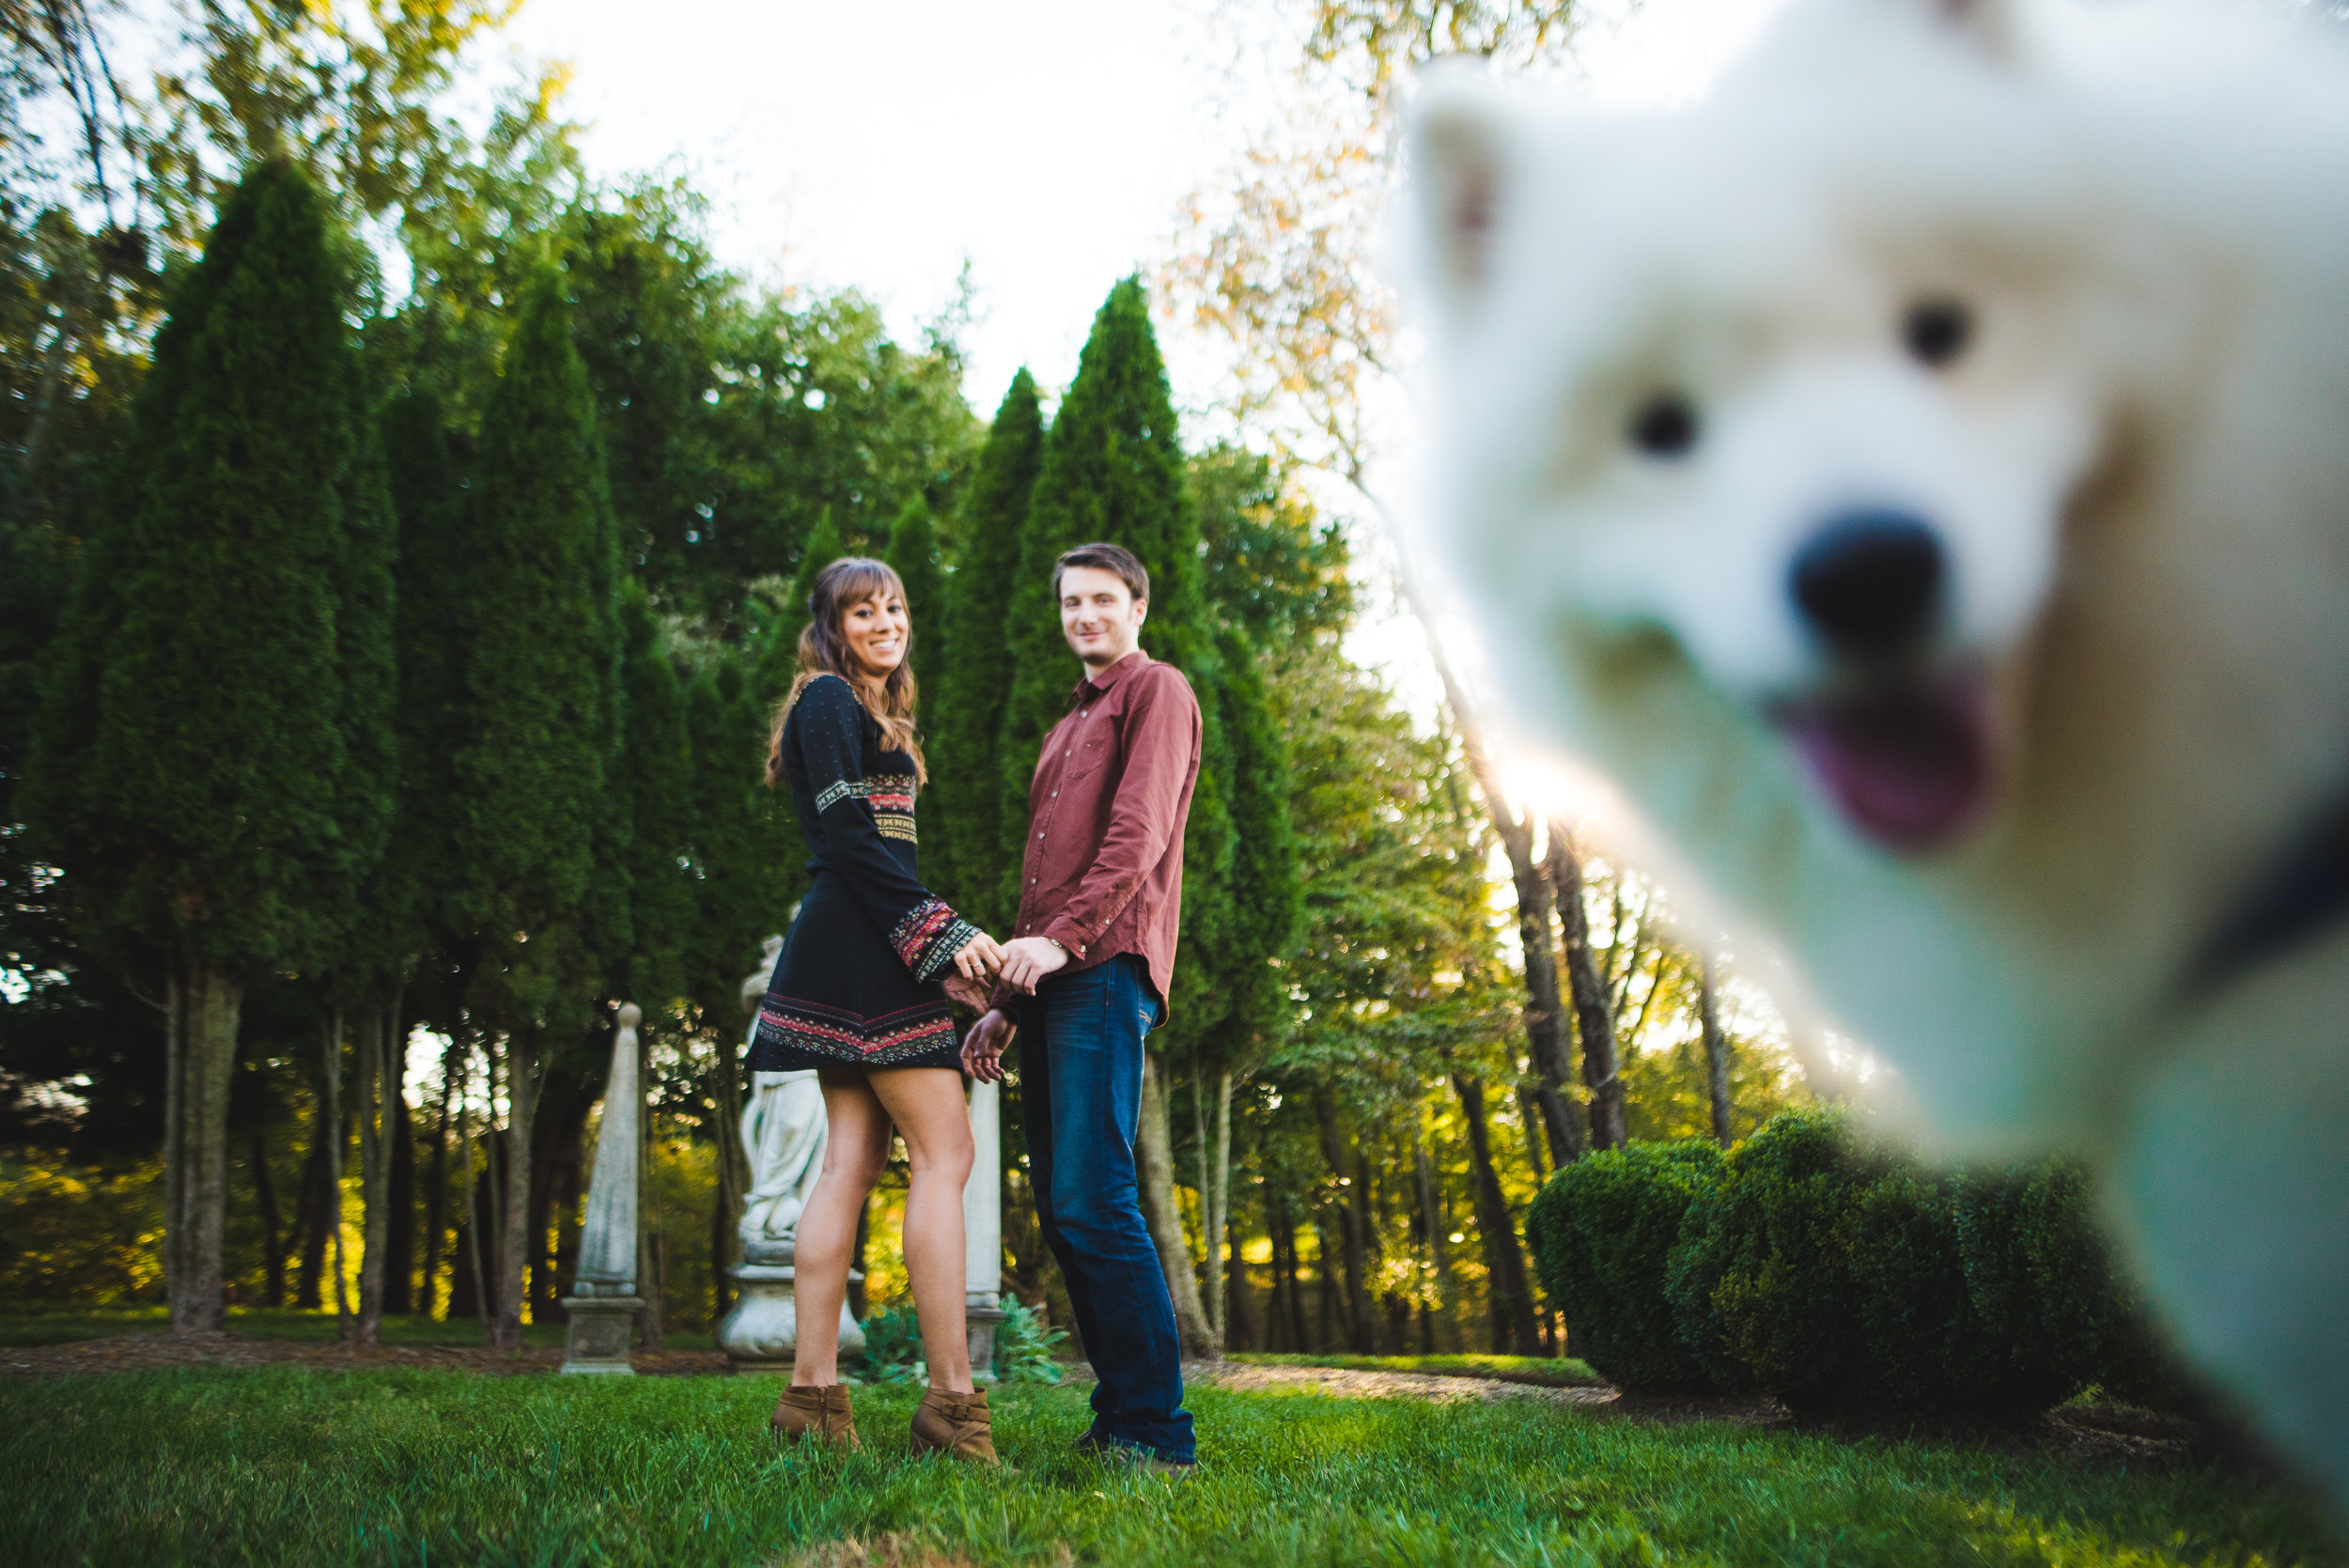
column 967, row 701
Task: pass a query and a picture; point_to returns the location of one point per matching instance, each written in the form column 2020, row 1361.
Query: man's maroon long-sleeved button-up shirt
column 1108, row 809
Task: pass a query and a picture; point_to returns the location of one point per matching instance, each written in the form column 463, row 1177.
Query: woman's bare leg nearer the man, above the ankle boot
column 927, row 1104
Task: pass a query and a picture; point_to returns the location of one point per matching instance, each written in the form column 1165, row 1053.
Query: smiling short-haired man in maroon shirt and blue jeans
column 1089, row 971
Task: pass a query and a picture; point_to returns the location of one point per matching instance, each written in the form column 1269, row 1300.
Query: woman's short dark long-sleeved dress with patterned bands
column 856, row 982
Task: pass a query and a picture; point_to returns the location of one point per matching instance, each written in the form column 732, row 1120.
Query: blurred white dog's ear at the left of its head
column 1455, row 161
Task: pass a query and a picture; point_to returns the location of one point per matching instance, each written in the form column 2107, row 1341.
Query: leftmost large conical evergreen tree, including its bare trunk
column 194, row 759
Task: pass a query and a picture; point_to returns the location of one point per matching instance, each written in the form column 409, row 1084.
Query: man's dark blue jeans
column 1082, row 1097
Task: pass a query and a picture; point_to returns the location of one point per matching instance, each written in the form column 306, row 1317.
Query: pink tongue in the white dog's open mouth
column 1906, row 771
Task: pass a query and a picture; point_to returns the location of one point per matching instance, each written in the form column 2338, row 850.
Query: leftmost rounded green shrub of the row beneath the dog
column 1603, row 1231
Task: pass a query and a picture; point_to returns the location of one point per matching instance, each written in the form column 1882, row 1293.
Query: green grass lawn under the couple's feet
column 295, row 1466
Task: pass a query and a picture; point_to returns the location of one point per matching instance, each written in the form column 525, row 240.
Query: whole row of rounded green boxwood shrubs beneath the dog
column 1836, row 1273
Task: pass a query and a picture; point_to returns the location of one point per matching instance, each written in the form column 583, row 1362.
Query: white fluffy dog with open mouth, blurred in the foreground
column 1920, row 478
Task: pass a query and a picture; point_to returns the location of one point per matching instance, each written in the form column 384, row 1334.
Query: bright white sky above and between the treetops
column 1049, row 142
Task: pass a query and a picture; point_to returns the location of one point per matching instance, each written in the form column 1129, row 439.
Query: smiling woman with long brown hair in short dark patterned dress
column 859, row 999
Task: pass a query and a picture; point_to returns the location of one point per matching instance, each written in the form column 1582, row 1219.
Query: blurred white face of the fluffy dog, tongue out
column 1751, row 403
